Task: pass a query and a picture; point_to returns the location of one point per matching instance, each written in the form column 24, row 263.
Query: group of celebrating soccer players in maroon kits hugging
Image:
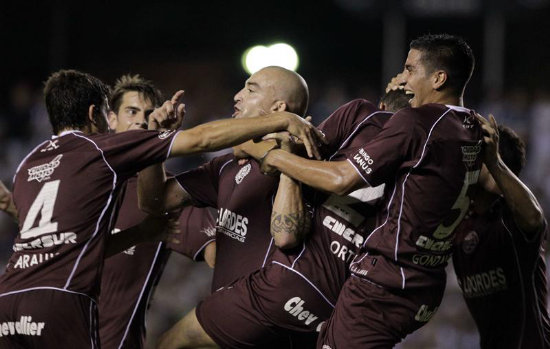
column 346, row 251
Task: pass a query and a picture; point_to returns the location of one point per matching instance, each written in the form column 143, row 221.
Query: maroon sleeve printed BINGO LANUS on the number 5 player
column 378, row 161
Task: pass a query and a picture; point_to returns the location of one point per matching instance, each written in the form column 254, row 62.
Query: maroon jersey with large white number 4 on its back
column 65, row 192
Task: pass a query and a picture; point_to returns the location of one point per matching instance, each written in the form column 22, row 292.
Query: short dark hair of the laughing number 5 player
column 449, row 53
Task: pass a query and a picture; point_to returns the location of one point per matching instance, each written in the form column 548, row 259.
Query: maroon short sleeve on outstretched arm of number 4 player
column 131, row 151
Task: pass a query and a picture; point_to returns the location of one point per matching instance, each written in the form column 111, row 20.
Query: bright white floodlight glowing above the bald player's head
column 280, row 54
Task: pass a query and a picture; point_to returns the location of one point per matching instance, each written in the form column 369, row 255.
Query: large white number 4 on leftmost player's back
column 43, row 204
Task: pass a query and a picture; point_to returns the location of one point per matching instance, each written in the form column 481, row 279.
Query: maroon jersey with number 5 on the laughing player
column 431, row 156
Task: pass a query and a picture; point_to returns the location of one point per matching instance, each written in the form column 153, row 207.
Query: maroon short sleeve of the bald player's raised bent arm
column 202, row 183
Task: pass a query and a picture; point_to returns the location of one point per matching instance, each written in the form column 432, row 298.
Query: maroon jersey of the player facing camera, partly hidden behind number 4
column 129, row 277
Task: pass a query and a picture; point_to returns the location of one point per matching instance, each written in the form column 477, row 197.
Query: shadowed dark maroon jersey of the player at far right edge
column 502, row 276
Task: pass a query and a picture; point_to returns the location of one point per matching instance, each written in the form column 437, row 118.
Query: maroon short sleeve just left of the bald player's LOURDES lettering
column 197, row 229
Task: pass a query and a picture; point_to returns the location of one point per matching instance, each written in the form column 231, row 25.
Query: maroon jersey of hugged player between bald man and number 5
column 340, row 223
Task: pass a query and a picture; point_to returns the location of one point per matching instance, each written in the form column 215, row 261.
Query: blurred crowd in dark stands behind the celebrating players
column 24, row 124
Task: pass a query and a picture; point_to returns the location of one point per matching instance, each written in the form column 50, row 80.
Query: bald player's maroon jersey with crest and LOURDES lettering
column 244, row 198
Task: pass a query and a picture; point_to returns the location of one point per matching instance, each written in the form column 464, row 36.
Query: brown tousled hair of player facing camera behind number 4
column 130, row 83
